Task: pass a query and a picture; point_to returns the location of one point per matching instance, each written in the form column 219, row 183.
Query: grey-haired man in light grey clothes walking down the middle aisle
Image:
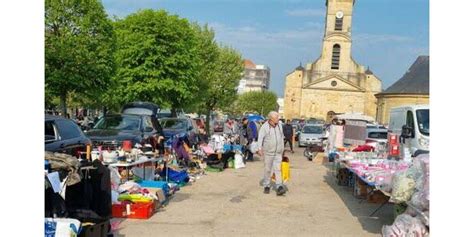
column 270, row 147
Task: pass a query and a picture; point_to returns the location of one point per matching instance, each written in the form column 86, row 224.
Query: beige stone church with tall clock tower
column 334, row 83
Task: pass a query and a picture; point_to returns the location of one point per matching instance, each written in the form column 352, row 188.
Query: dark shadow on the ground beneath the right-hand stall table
column 360, row 208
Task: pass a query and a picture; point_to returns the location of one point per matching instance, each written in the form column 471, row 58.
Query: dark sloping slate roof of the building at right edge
column 415, row 81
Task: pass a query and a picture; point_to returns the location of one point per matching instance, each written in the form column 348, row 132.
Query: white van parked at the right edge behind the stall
column 412, row 124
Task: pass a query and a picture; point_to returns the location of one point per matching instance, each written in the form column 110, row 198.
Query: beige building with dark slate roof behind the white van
column 412, row 88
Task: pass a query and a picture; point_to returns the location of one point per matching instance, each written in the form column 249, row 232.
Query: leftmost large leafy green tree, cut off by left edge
column 79, row 46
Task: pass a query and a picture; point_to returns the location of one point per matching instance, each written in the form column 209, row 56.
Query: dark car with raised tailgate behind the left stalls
column 137, row 123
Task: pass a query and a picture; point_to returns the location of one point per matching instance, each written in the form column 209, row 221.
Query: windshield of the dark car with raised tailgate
column 119, row 122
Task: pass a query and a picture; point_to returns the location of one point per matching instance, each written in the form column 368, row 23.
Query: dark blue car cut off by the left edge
column 64, row 136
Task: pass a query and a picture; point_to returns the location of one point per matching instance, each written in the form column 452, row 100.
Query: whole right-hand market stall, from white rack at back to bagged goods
column 377, row 174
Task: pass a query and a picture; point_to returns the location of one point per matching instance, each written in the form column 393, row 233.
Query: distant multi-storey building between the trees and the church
column 255, row 78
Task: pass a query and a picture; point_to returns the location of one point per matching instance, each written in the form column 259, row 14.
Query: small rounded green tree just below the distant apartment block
column 261, row 102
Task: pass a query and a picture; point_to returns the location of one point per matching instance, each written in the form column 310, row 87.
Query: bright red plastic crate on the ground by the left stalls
column 137, row 210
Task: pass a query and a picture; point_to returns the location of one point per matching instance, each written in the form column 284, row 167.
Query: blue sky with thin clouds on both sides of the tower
column 387, row 35
